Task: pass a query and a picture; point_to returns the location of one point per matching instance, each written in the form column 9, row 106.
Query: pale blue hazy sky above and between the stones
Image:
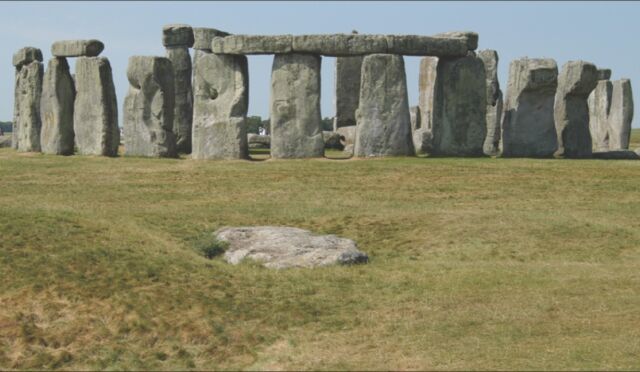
column 605, row 33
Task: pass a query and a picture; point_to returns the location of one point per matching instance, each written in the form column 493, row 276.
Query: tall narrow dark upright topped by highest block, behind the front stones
column 177, row 39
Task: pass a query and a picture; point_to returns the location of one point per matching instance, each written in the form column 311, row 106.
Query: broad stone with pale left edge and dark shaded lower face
column 528, row 128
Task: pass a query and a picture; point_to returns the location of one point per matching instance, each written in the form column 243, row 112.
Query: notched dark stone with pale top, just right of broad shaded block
column 571, row 113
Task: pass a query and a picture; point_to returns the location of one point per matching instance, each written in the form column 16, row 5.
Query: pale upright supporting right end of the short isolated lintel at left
column 95, row 112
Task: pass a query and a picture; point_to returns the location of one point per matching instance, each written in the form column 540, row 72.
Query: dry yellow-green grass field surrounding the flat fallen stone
column 474, row 264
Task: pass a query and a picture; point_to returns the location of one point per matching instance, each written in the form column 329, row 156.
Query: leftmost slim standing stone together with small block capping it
column 28, row 91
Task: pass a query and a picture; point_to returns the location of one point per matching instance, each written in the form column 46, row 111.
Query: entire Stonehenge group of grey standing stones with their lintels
column 176, row 104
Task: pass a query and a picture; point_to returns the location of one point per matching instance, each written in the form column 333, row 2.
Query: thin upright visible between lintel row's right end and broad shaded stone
column 494, row 101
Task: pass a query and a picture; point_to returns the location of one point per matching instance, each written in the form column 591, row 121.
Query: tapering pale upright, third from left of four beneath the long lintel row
column 383, row 120
